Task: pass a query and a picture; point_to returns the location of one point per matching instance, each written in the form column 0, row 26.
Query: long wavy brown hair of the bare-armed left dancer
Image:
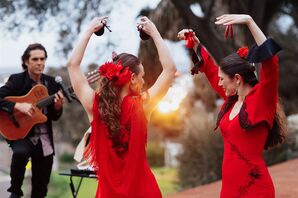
column 109, row 100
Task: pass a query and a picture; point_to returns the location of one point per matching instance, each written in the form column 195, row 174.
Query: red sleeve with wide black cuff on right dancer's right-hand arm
column 262, row 101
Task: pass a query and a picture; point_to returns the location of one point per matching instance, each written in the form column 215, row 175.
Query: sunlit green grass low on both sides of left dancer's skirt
column 59, row 185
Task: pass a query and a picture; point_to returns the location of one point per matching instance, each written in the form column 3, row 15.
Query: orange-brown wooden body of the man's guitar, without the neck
column 8, row 129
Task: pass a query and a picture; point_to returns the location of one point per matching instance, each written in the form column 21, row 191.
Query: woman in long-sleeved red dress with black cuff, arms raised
column 250, row 119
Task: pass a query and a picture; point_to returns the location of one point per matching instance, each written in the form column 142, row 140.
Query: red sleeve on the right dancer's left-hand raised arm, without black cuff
column 211, row 71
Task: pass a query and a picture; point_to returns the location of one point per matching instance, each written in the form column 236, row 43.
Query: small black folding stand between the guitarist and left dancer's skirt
column 81, row 174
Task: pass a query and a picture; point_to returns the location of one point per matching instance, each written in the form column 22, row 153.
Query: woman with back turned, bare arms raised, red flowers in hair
column 119, row 112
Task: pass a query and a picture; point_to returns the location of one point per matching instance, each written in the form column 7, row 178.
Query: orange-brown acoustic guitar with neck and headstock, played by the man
column 17, row 125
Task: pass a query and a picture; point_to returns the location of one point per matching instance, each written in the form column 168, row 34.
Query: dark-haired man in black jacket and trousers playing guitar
column 38, row 144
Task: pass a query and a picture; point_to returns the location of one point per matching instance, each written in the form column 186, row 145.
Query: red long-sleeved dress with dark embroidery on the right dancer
column 244, row 172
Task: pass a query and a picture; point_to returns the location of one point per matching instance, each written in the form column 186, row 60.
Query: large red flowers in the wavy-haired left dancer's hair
column 111, row 70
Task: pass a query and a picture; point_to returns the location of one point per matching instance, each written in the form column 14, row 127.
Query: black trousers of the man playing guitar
column 41, row 168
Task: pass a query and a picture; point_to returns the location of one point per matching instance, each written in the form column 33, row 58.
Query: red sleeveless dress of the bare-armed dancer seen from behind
column 127, row 175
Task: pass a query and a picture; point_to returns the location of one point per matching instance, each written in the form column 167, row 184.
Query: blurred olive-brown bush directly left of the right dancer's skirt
column 201, row 159
